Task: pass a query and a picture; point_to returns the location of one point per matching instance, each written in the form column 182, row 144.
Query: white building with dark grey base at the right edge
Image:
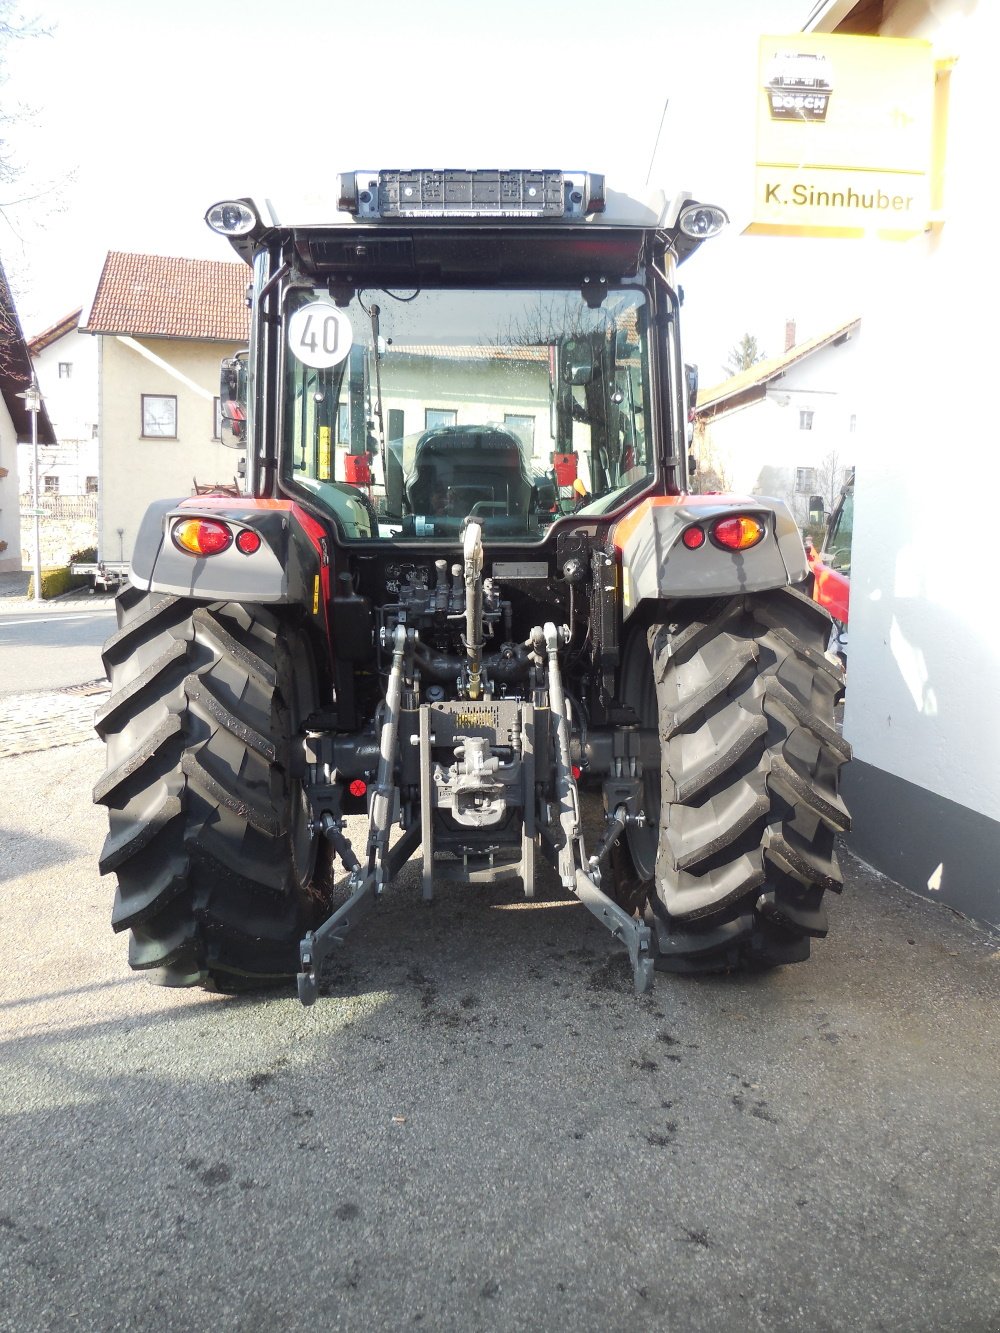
column 923, row 706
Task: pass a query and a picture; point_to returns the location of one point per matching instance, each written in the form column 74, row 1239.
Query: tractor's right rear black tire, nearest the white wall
column 738, row 850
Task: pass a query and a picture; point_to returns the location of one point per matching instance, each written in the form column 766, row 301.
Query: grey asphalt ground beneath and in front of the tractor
column 481, row 1127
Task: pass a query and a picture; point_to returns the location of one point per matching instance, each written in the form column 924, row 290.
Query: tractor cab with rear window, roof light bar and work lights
column 447, row 346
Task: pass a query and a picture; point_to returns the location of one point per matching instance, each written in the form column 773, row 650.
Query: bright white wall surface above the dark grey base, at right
column 925, row 698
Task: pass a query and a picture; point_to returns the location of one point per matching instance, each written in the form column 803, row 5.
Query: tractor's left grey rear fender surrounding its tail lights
column 291, row 566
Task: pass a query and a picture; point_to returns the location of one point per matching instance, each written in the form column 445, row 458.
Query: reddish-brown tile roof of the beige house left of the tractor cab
column 162, row 297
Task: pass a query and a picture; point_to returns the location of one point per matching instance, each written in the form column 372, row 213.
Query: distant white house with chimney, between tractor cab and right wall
column 787, row 426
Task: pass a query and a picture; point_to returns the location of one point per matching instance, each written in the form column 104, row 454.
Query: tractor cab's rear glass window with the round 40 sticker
column 406, row 414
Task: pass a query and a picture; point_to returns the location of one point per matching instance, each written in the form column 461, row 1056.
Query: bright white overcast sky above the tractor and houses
column 141, row 117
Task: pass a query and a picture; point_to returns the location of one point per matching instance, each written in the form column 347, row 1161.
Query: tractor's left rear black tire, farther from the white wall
column 210, row 835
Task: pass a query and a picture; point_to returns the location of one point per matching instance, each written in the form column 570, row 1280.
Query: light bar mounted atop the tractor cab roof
column 483, row 194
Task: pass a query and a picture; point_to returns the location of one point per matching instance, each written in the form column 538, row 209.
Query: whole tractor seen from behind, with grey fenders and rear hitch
column 467, row 595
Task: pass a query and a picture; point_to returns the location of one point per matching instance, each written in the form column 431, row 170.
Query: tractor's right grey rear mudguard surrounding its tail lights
column 657, row 565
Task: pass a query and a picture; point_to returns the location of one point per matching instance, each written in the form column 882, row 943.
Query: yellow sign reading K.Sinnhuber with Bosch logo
column 845, row 137
